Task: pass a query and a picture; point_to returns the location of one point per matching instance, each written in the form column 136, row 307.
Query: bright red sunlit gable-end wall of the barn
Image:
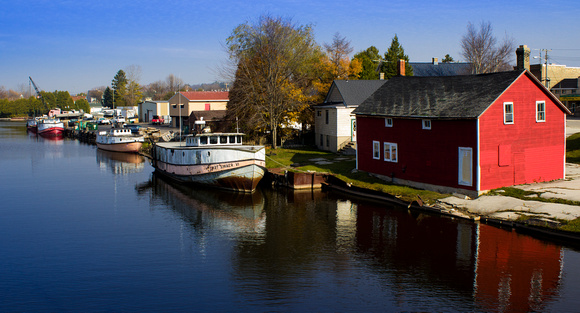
column 537, row 148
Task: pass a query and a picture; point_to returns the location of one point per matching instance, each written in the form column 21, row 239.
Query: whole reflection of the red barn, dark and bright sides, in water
column 502, row 271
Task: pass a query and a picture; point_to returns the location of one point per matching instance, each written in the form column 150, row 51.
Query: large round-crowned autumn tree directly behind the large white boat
column 275, row 64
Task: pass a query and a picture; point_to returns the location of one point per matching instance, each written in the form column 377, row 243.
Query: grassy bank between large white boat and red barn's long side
column 342, row 167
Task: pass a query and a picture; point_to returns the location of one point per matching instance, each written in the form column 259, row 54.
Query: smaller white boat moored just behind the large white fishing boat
column 119, row 140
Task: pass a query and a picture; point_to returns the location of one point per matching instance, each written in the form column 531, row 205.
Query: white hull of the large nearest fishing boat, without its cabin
column 235, row 169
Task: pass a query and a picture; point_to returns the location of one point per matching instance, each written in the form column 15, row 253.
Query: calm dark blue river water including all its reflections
column 84, row 230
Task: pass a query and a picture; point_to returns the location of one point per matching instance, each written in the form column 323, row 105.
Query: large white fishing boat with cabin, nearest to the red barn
column 214, row 159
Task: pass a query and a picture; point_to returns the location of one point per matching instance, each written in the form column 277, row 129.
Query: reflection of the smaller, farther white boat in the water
column 119, row 162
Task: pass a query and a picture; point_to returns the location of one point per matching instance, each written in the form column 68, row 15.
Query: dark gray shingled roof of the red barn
column 437, row 97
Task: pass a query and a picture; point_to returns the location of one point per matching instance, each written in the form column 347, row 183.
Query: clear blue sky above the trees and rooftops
column 78, row 45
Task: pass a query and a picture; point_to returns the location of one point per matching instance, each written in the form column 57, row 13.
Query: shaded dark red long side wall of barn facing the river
column 424, row 156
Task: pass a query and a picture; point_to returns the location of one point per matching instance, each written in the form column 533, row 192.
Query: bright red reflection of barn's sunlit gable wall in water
column 516, row 272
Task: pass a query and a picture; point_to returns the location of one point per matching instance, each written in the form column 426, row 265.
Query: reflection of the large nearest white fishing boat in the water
column 231, row 211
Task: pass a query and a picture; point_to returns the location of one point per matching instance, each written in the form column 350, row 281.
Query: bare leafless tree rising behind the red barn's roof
column 481, row 49
